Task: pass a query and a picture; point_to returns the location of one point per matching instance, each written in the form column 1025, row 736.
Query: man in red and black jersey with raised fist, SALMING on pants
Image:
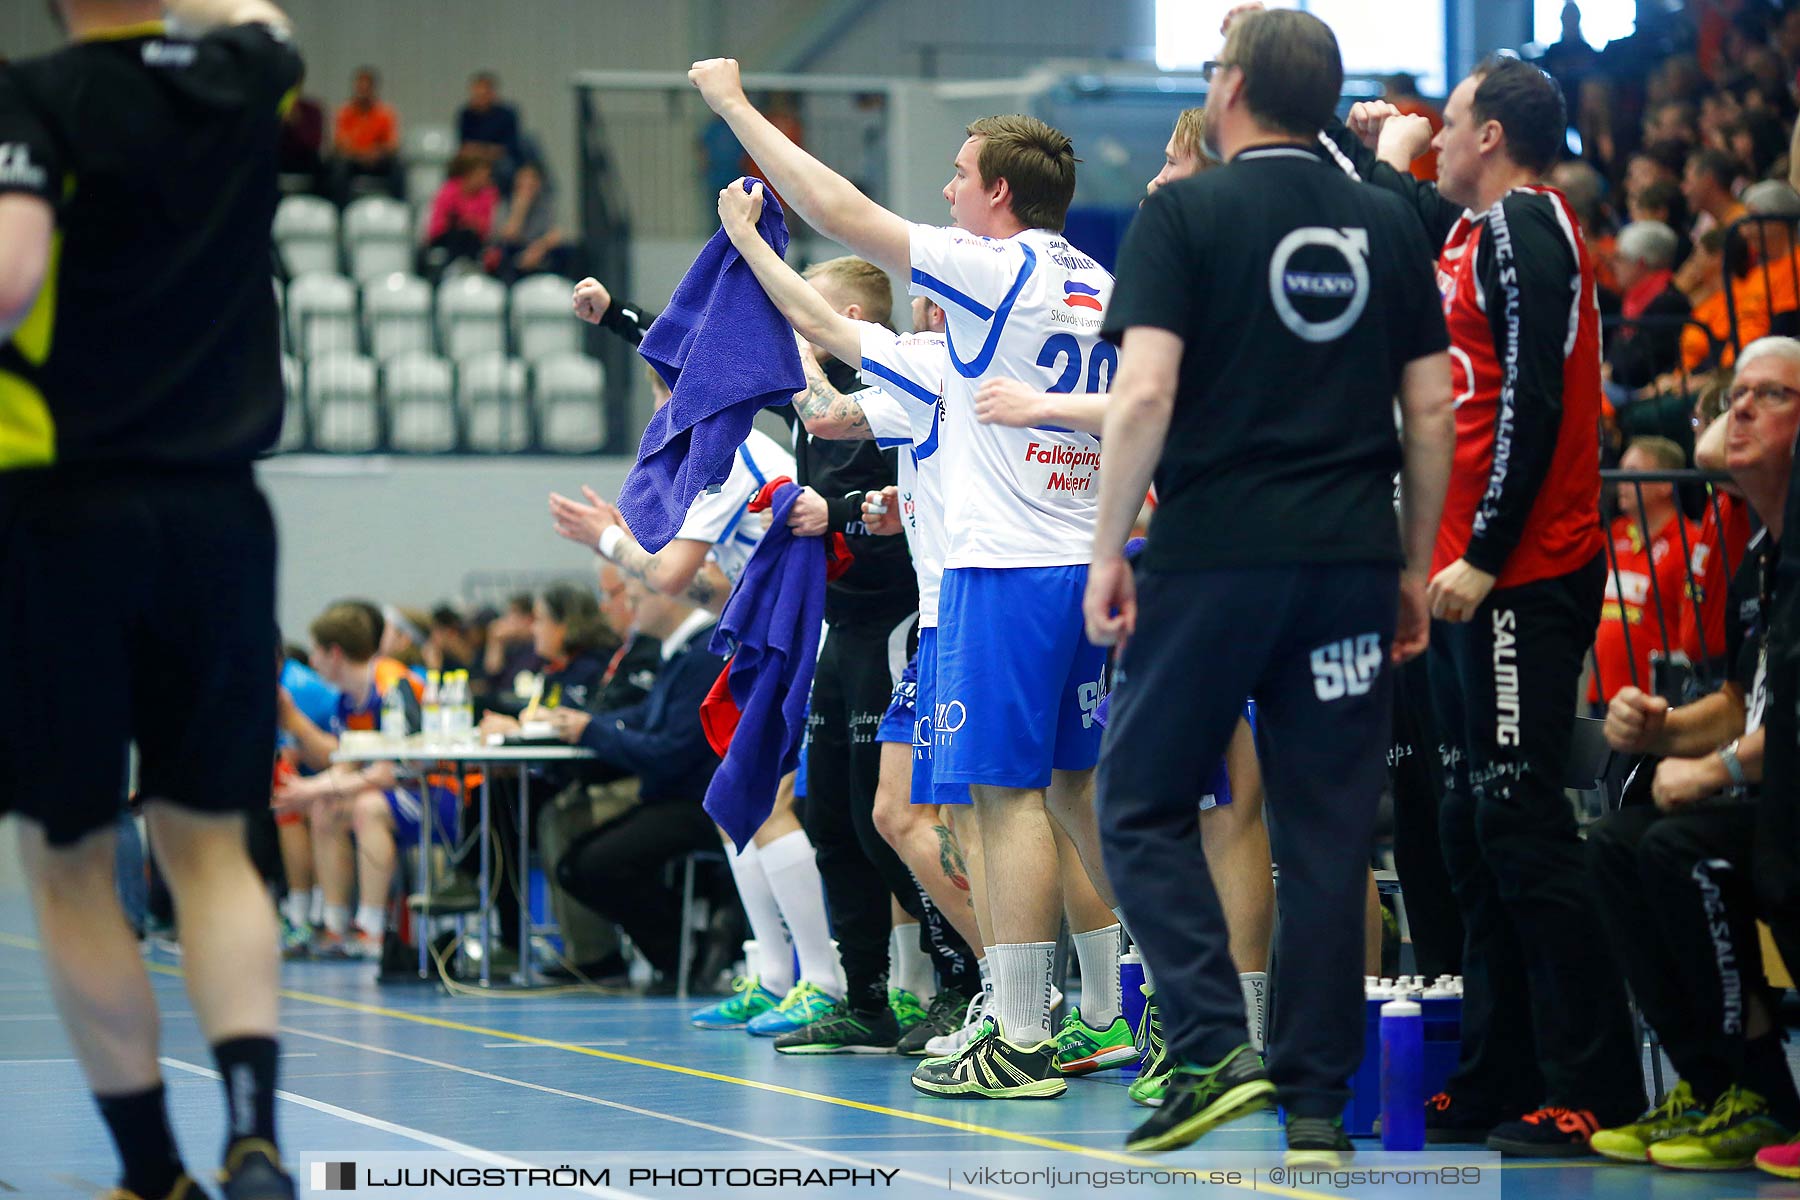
column 1547, row 1043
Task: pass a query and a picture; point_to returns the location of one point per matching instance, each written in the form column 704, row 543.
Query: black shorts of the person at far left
column 136, row 607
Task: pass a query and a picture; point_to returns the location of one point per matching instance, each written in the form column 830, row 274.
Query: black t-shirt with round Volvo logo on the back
column 1300, row 296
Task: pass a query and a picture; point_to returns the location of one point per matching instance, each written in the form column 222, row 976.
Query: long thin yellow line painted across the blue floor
column 822, row 1098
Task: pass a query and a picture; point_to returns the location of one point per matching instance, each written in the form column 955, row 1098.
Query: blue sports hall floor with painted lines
column 573, row 1080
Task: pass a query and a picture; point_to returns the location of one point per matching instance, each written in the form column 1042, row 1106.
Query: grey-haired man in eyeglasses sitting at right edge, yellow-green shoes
column 1675, row 879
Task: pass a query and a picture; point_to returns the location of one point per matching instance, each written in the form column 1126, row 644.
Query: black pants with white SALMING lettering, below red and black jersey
column 1545, row 1016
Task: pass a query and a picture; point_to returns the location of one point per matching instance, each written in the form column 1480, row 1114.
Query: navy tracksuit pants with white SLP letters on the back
column 1311, row 647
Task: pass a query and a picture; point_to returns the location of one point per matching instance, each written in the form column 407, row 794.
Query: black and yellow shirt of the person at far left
column 156, row 336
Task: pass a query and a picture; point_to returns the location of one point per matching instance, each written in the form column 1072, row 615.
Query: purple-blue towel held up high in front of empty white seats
column 726, row 354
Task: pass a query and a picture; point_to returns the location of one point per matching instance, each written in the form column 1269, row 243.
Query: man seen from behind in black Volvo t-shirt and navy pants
column 1272, row 312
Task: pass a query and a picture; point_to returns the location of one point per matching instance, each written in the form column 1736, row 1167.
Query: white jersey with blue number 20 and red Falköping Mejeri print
column 1020, row 309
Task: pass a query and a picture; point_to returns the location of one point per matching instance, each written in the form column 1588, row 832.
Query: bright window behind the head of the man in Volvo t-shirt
column 1376, row 37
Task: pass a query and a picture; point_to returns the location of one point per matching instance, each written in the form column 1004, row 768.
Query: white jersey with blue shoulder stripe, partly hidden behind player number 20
column 908, row 404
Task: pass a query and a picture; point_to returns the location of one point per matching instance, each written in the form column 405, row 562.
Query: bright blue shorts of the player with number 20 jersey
column 1018, row 681
